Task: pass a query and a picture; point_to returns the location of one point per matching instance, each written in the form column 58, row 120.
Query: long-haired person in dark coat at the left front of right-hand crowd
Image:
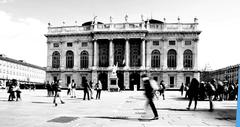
column 193, row 93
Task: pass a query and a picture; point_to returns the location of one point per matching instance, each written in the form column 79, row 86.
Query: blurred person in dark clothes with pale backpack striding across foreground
column 149, row 95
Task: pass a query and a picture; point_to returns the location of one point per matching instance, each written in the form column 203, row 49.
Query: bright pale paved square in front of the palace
column 114, row 109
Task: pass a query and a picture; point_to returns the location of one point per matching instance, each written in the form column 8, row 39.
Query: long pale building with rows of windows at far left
column 21, row 71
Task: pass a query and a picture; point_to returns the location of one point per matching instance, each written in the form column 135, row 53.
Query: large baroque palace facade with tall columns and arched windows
column 165, row 51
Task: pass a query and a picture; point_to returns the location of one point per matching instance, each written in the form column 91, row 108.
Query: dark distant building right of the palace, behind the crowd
column 229, row 74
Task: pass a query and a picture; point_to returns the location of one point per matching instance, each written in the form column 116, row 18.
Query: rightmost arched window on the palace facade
column 187, row 58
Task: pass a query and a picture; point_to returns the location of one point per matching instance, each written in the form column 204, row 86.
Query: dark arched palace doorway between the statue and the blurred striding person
column 134, row 80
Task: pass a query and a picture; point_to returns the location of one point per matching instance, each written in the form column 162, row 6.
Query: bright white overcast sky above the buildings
column 23, row 24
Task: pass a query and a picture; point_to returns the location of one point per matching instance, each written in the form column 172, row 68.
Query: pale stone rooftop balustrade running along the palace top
column 124, row 26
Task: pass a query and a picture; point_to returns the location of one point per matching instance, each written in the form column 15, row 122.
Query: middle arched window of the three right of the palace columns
column 172, row 58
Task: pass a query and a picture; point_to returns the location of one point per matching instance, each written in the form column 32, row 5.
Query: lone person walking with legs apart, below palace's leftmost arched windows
column 57, row 91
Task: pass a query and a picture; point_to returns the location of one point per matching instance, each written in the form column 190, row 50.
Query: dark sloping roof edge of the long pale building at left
column 21, row 62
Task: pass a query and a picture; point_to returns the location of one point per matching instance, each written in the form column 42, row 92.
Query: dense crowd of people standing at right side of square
column 212, row 91
